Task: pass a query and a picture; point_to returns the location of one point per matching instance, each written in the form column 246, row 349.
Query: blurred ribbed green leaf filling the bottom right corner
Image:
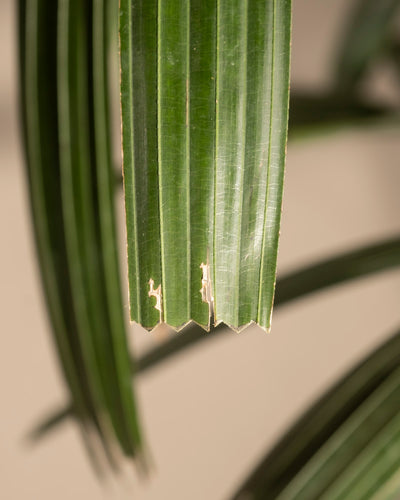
column 334, row 435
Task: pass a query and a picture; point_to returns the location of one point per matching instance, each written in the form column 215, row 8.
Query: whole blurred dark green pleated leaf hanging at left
column 63, row 54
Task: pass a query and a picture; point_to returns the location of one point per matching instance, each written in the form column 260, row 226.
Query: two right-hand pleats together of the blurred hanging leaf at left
column 87, row 184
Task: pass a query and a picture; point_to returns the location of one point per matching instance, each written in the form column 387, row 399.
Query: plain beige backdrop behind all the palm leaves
column 211, row 413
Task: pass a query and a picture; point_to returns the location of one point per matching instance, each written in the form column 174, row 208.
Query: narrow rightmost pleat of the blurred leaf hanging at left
column 102, row 36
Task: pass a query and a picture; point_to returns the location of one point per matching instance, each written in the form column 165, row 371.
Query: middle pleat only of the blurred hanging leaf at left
column 73, row 68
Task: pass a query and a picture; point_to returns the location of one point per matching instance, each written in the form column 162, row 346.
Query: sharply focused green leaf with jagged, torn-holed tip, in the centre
column 204, row 89
